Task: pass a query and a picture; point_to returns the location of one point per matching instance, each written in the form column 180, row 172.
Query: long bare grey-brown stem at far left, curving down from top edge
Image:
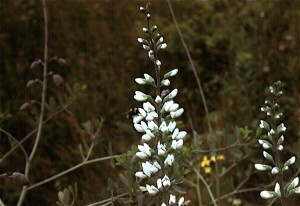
column 43, row 100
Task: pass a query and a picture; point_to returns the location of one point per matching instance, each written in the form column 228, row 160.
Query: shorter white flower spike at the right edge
column 274, row 143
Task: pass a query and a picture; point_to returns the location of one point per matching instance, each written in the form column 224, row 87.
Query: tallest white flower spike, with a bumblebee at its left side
column 155, row 120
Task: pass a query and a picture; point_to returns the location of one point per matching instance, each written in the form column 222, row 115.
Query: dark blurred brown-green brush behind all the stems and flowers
column 239, row 48
